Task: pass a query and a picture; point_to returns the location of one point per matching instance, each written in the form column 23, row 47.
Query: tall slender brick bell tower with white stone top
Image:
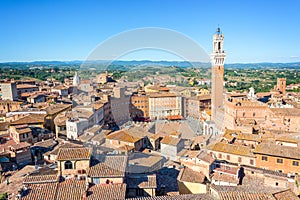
column 217, row 60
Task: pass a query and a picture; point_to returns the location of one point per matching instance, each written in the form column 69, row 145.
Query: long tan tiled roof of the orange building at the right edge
column 278, row 150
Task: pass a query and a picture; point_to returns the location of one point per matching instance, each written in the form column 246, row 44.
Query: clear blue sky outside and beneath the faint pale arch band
column 255, row 31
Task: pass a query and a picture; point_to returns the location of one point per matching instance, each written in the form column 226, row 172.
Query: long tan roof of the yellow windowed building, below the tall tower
column 231, row 149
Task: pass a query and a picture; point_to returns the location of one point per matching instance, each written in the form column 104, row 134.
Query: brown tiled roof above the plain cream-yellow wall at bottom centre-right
column 188, row 175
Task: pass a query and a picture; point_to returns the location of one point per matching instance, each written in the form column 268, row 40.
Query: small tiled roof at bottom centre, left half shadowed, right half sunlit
column 141, row 181
